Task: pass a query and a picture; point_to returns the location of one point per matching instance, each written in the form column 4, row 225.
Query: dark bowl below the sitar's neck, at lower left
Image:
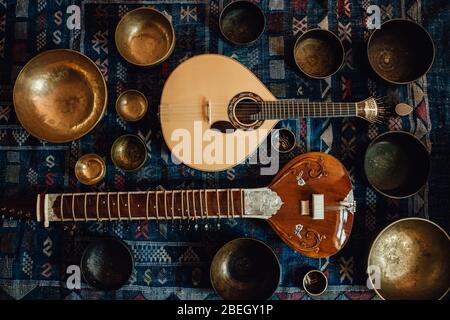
column 107, row 264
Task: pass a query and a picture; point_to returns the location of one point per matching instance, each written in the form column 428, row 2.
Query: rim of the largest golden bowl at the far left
column 105, row 89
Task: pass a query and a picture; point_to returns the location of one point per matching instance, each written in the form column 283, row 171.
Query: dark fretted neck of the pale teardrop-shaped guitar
column 295, row 109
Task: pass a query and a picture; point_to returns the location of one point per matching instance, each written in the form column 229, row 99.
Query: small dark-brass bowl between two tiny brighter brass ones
column 128, row 152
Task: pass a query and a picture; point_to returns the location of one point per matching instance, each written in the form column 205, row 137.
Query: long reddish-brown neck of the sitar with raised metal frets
column 159, row 205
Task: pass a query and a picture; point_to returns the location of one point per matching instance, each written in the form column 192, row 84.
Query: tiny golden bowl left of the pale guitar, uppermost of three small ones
column 131, row 105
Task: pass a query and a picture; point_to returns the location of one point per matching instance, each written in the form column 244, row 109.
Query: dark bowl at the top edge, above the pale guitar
column 241, row 22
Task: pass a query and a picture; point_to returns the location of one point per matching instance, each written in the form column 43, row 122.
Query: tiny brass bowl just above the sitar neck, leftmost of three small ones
column 90, row 169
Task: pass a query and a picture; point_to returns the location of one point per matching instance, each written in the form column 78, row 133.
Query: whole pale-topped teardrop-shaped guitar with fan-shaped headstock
column 225, row 110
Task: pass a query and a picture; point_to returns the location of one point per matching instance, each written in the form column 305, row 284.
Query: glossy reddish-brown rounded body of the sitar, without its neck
column 317, row 234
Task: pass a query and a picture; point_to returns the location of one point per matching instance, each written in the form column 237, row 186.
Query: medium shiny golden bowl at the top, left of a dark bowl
column 145, row 37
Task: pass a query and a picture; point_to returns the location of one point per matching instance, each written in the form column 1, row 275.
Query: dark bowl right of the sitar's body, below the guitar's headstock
column 397, row 164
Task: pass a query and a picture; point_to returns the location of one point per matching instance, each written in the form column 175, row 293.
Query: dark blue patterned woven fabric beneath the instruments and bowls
column 173, row 263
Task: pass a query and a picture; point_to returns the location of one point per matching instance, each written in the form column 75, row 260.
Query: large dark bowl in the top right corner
column 401, row 51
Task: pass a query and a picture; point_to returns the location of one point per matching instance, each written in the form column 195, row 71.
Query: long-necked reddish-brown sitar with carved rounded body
column 309, row 204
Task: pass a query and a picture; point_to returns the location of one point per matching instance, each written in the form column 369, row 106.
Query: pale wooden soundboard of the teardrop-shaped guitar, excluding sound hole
column 195, row 99
